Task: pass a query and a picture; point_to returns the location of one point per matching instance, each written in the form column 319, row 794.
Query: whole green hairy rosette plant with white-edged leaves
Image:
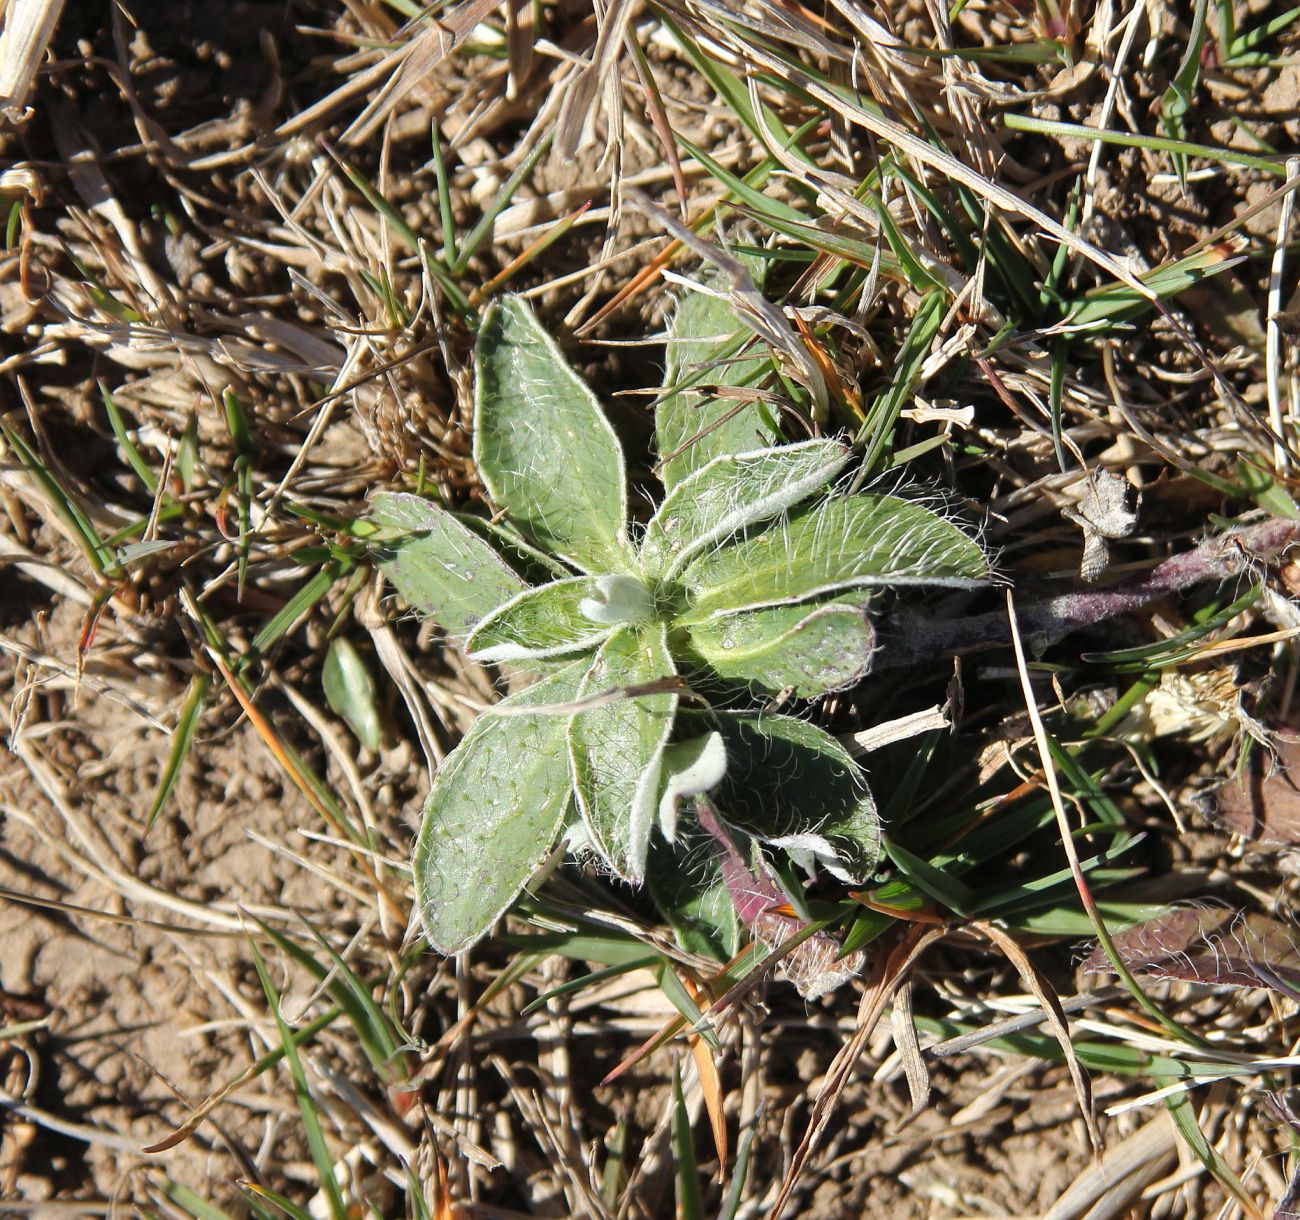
column 752, row 578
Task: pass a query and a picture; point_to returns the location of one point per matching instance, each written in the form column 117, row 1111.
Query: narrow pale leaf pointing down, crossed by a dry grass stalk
column 617, row 749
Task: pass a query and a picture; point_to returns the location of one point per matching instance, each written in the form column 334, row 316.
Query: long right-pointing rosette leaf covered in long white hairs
column 852, row 542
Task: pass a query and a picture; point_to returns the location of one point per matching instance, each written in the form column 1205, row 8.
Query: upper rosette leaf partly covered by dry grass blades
column 692, row 430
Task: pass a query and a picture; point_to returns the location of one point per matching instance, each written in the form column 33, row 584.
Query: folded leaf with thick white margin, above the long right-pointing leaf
column 731, row 494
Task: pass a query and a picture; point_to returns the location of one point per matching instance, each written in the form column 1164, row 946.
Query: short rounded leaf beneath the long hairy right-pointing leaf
column 809, row 650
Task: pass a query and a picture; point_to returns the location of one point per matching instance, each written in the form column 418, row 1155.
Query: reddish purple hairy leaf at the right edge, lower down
column 1210, row 945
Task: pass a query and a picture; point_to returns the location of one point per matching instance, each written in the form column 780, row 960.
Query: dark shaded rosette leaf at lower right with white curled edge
column 792, row 785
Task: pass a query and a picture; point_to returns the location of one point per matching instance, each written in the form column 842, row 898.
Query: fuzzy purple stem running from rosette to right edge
column 1052, row 618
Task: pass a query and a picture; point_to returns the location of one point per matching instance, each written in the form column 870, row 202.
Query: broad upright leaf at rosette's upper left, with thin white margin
column 543, row 445
